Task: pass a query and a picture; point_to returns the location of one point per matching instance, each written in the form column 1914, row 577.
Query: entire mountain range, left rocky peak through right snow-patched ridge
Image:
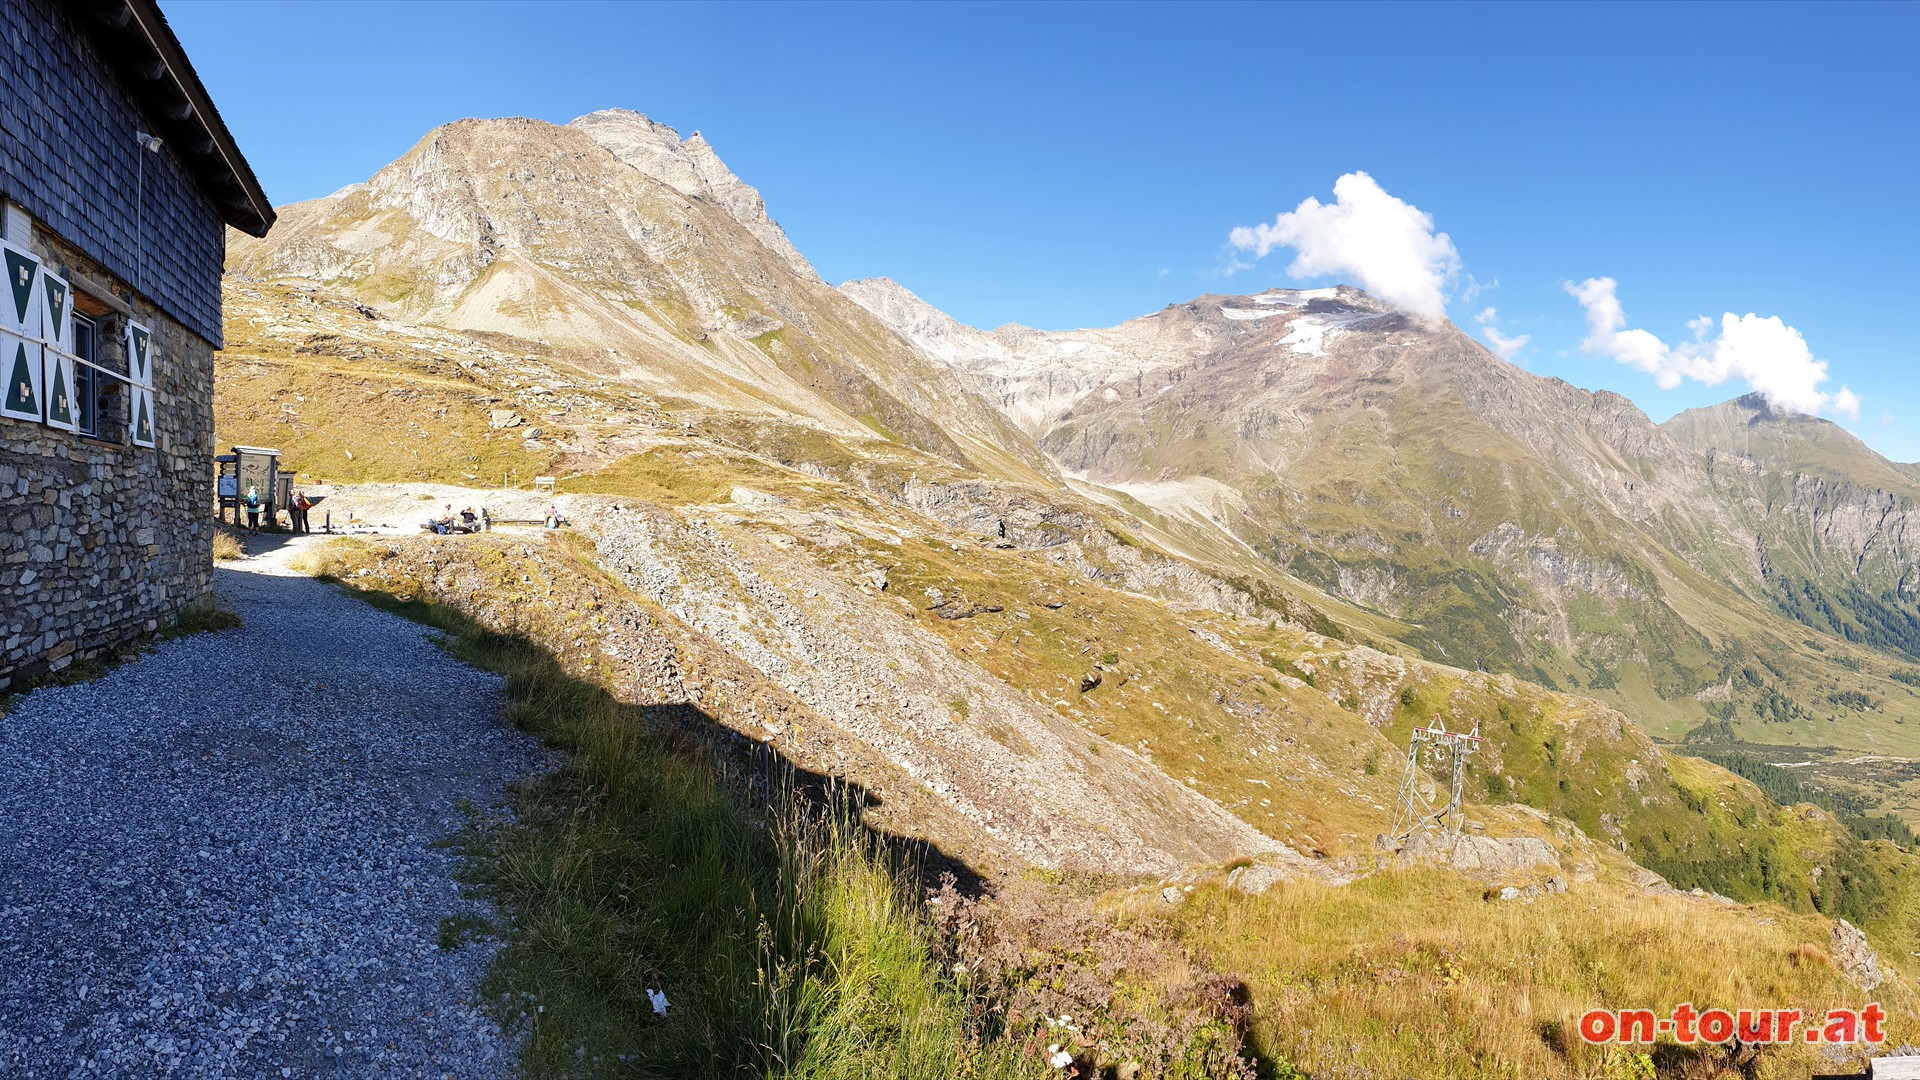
column 1691, row 572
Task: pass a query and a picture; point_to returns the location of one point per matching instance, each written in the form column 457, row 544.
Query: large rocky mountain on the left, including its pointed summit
column 615, row 241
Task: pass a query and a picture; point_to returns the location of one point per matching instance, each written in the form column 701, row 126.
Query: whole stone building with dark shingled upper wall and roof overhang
column 120, row 176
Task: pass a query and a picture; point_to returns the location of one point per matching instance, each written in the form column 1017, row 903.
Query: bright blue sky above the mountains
column 1076, row 166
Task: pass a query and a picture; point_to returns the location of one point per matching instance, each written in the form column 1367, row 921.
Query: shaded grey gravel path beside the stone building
column 218, row 860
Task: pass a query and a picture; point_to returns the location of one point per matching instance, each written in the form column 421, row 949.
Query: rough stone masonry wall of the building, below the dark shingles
column 105, row 541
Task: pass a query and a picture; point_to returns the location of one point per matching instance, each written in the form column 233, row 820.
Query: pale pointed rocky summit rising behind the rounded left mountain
column 692, row 168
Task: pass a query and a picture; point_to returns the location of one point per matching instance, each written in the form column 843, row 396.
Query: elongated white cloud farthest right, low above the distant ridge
column 1765, row 355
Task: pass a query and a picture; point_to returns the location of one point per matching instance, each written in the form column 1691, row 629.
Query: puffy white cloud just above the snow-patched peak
column 1385, row 245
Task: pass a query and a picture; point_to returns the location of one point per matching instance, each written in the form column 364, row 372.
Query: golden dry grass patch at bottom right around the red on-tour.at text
column 1414, row 973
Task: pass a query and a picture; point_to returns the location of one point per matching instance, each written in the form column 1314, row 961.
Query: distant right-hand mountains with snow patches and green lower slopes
column 1500, row 520
